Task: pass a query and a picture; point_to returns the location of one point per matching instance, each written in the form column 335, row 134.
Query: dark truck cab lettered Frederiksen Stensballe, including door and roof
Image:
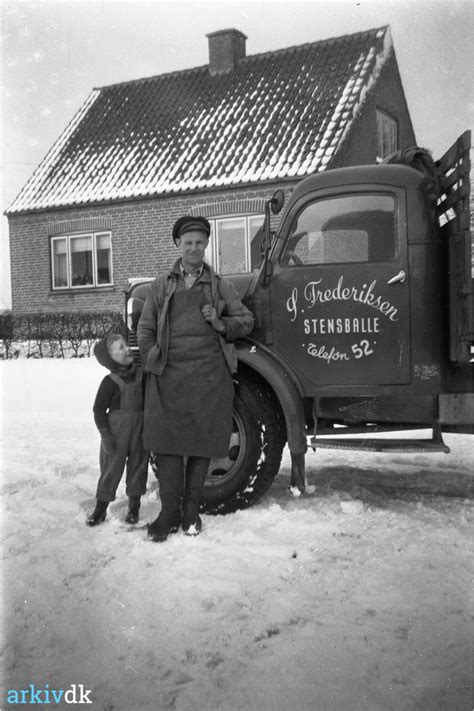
column 342, row 268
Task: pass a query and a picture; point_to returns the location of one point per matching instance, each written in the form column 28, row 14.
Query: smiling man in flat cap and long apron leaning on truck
column 185, row 334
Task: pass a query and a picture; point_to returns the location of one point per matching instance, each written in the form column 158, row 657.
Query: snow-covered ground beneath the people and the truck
column 357, row 598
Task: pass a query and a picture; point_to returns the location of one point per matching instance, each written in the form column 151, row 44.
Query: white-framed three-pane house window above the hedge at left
column 81, row 260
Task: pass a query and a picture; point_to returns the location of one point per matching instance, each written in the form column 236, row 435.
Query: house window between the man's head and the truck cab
column 229, row 246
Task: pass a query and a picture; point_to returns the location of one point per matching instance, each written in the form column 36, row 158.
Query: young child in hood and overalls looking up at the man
column 118, row 415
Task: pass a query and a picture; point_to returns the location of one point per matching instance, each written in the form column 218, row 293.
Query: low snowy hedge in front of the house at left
column 55, row 335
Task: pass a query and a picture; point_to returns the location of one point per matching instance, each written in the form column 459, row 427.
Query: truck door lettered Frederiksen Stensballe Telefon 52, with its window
column 340, row 289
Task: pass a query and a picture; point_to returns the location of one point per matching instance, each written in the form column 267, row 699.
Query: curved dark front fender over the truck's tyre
column 272, row 372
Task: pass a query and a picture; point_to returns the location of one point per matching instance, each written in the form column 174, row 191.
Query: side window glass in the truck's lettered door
column 349, row 228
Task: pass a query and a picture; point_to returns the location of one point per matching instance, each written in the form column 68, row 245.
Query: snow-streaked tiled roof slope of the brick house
column 276, row 115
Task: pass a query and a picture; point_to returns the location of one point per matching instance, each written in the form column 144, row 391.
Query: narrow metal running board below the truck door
column 382, row 445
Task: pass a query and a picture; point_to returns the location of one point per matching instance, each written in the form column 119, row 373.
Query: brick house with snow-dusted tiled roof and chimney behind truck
column 215, row 140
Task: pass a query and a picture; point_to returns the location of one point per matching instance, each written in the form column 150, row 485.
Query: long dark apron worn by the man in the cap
column 188, row 409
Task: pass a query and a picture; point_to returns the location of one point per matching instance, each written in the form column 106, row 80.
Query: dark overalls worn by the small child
column 126, row 426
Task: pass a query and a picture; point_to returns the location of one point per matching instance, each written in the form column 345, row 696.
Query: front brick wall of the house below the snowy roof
column 141, row 244
